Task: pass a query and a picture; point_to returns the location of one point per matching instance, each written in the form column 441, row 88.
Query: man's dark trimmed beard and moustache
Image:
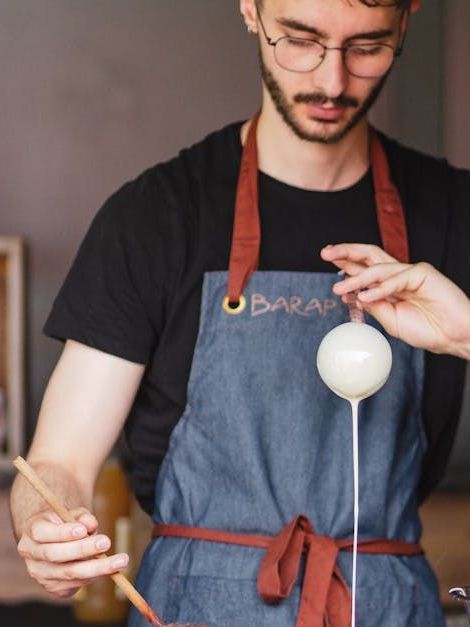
column 285, row 109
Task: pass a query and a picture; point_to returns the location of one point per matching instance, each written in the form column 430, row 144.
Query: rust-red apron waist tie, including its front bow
column 324, row 591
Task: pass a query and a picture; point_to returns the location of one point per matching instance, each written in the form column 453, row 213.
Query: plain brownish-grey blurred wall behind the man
column 94, row 91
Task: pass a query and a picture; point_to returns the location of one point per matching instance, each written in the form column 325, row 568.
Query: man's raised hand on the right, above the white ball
column 413, row 302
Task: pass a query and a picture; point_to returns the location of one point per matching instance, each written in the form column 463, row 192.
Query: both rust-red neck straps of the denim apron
column 246, row 238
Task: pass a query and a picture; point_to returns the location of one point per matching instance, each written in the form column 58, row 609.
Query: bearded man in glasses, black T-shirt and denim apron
column 162, row 339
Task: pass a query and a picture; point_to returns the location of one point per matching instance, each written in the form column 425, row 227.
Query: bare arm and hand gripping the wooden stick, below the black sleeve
column 85, row 406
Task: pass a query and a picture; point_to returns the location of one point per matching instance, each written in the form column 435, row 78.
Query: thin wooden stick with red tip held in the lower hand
column 119, row 579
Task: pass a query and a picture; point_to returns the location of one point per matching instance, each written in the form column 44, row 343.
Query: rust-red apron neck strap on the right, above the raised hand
column 390, row 214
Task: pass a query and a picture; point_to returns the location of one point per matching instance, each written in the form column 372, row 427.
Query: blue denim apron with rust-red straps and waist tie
column 254, row 500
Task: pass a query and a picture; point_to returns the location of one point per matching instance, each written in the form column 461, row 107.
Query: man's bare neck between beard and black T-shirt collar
column 310, row 165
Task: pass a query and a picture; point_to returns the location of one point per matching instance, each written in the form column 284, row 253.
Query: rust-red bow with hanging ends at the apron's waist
column 324, row 591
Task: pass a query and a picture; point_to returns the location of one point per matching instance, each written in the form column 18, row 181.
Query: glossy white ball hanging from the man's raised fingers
column 354, row 360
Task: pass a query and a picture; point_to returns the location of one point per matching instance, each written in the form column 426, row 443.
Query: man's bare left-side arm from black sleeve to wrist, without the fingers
column 84, row 408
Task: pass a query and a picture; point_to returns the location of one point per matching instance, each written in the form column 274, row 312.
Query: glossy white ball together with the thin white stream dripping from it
column 354, row 360
